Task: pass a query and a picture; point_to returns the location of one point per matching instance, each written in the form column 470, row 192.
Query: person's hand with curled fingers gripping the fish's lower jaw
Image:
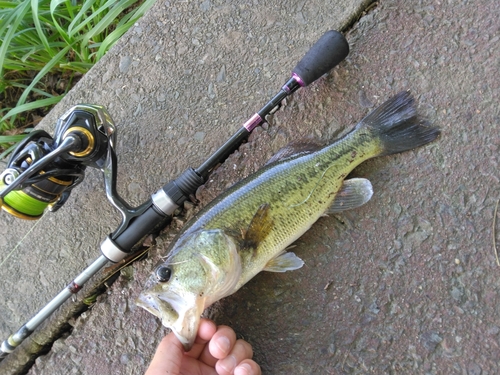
column 215, row 351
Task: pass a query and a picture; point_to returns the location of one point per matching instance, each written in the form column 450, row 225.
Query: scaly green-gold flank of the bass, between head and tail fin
column 300, row 188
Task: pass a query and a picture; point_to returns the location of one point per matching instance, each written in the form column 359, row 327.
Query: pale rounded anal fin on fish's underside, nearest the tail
column 353, row 194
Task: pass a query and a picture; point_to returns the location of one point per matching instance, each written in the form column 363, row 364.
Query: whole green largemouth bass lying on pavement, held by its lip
column 248, row 228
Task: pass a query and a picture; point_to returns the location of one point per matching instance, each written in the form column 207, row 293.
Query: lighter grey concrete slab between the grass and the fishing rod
column 181, row 81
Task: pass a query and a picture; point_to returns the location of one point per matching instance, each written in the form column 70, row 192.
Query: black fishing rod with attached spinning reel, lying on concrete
column 43, row 170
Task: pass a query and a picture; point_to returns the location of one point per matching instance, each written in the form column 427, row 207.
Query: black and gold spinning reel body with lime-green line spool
column 42, row 170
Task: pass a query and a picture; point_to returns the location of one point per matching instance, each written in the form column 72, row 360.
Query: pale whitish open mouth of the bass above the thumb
column 180, row 314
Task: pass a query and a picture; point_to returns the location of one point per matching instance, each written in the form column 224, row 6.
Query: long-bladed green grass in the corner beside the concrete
column 42, row 38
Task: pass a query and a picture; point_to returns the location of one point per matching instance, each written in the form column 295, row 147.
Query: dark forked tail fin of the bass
column 396, row 124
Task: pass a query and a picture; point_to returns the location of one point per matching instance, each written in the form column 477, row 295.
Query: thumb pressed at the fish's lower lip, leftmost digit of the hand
column 168, row 357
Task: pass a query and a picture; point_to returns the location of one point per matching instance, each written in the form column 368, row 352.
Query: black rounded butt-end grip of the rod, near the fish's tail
column 326, row 53
